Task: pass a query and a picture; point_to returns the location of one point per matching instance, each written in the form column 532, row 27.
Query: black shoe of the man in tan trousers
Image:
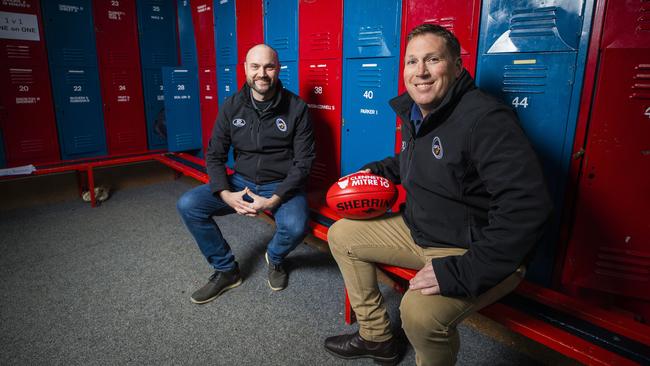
column 351, row 346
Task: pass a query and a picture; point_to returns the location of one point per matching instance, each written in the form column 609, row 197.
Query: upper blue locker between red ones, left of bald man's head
column 225, row 32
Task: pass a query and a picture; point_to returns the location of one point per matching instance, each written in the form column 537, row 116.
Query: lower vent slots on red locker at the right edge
column 623, row 264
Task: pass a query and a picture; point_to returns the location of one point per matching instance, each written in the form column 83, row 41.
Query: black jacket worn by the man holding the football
column 472, row 181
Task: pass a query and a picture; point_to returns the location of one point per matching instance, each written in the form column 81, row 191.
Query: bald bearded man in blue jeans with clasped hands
column 271, row 135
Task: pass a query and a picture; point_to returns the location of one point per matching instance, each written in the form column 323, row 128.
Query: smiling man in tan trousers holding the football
column 476, row 204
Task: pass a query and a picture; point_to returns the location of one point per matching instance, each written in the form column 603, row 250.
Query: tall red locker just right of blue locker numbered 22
column 120, row 75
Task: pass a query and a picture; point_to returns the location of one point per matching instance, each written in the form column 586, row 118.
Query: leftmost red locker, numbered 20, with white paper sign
column 26, row 107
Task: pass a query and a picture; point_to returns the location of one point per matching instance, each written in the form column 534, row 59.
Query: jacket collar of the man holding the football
column 402, row 104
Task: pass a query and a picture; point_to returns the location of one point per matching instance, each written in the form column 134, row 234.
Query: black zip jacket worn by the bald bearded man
column 275, row 145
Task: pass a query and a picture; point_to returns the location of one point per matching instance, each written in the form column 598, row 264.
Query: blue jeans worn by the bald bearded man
column 198, row 205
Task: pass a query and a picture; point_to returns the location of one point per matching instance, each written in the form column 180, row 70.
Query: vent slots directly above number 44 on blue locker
column 524, row 79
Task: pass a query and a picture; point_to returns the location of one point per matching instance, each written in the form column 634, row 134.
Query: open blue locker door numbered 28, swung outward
column 182, row 108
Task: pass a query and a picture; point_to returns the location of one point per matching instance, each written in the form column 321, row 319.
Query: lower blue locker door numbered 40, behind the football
column 368, row 121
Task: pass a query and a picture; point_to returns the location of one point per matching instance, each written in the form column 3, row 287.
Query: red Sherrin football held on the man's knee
column 361, row 196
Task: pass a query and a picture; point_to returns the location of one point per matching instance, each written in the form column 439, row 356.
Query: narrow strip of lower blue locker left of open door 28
column 154, row 105
